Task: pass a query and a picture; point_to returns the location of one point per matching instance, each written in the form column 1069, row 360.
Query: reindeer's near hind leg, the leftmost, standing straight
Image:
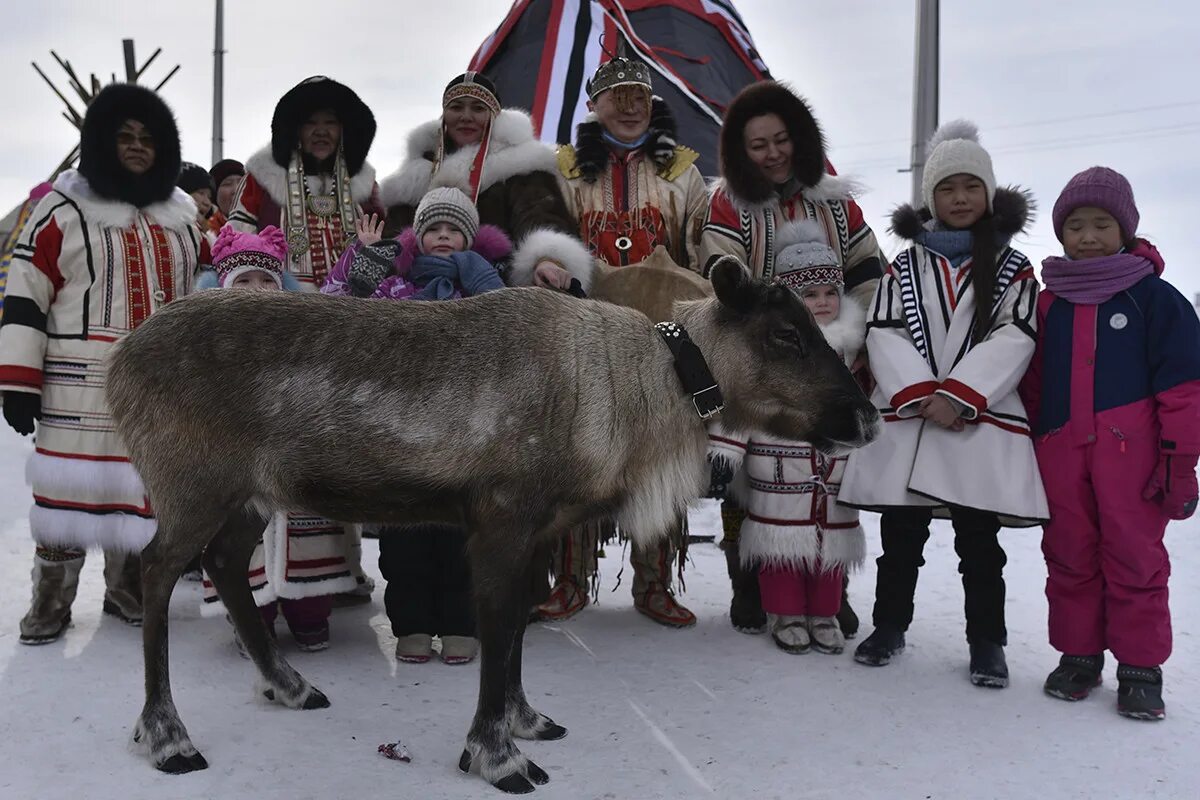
column 159, row 730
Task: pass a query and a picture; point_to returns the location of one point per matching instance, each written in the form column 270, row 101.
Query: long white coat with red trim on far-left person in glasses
column 86, row 273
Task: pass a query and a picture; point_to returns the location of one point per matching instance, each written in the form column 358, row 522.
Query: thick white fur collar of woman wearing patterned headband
column 514, row 151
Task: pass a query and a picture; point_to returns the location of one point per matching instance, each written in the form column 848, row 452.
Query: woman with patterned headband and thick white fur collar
column 493, row 157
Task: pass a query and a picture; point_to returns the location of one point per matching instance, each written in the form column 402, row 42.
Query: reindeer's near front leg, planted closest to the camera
column 497, row 556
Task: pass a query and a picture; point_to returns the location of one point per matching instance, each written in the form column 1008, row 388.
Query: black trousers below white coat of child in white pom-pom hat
column 981, row 564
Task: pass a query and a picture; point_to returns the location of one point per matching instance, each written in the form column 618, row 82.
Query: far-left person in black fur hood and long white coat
column 113, row 243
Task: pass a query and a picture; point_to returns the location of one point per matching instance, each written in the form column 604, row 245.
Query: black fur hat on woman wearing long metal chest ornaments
column 314, row 95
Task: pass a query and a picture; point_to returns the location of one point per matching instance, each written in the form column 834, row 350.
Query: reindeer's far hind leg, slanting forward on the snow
column 226, row 562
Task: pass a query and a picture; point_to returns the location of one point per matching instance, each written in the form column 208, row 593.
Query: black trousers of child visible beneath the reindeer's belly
column 429, row 581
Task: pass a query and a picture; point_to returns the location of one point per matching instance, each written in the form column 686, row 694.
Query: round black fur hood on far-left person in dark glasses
column 109, row 111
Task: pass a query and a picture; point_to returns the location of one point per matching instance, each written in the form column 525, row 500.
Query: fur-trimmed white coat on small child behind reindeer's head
column 790, row 489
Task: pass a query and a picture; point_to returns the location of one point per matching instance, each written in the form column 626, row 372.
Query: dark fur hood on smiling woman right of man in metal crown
column 742, row 177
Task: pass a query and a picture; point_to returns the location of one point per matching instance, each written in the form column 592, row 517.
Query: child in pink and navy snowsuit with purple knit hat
column 1114, row 396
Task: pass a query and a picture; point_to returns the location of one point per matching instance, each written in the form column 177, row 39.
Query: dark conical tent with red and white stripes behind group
column 700, row 51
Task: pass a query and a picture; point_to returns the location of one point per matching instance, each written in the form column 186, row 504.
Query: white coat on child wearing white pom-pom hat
column 919, row 339
